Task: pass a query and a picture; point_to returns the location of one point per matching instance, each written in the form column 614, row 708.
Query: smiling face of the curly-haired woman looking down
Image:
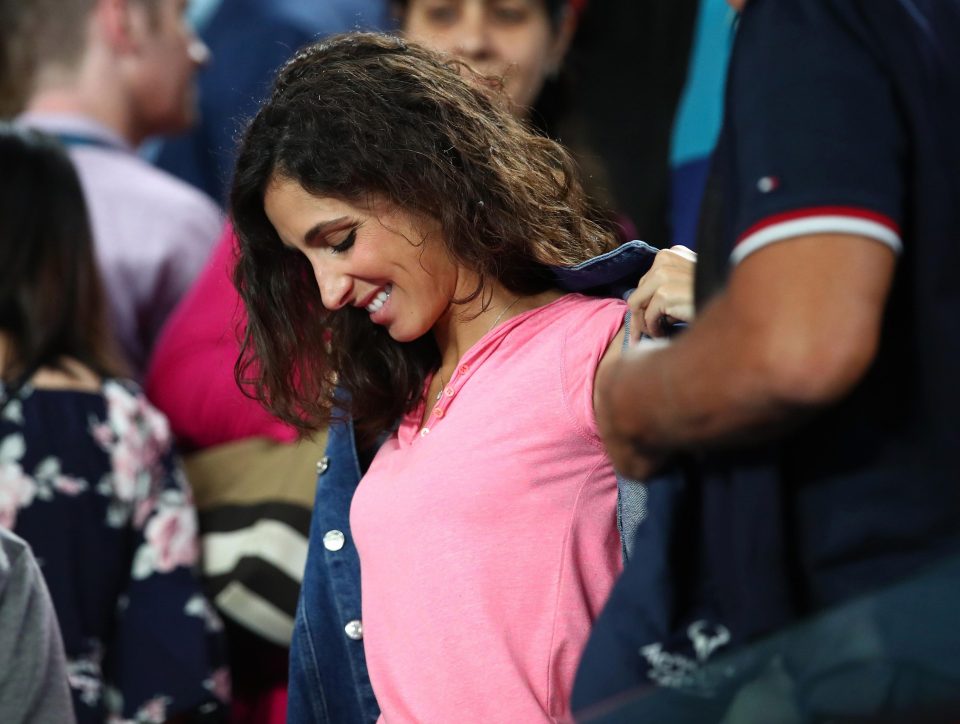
column 378, row 258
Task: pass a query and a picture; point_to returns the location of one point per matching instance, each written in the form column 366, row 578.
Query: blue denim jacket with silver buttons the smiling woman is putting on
column 328, row 670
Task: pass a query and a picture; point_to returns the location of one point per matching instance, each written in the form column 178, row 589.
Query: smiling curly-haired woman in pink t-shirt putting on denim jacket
column 400, row 237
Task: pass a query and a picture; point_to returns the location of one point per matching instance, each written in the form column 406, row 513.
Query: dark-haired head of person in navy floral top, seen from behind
column 51, row 308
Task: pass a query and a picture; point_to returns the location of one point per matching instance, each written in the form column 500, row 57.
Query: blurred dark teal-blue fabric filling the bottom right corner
column 865, row 661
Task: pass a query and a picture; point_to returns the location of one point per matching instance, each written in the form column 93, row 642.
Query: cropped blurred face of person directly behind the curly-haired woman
column 522, row 41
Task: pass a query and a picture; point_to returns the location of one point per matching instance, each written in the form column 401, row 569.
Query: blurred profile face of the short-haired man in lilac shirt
column 170, row 53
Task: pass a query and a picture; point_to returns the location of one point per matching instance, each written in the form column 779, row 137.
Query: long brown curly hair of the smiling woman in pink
column 362, row 116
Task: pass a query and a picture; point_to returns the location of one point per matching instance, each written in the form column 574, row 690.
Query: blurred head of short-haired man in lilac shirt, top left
column 130, row 64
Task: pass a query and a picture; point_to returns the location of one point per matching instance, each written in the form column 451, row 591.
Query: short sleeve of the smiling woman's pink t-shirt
column 591, row 328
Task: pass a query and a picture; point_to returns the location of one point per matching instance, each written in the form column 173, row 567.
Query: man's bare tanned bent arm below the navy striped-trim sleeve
column 797, row 327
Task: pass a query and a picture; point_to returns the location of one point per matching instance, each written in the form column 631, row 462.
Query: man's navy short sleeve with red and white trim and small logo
column 818, row 143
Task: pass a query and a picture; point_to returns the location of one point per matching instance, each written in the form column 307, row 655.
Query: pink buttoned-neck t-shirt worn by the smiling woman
column 488, row 539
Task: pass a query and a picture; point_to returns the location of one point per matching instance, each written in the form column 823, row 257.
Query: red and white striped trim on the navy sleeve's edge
column 818, row 220
